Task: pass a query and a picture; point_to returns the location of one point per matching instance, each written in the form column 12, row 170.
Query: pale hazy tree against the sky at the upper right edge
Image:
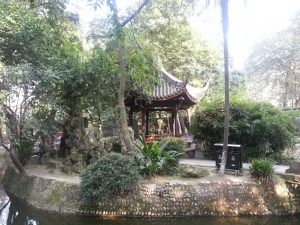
column 273, row 68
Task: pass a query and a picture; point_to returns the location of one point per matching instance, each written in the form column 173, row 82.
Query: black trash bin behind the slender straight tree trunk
column 234, row 156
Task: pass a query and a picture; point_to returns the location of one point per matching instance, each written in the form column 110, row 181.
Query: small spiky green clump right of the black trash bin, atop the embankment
column 262, row 169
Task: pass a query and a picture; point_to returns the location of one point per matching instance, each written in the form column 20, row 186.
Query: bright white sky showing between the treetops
column 249, row 22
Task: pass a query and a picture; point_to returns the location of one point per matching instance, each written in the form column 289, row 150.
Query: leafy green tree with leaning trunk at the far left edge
column 40, row 53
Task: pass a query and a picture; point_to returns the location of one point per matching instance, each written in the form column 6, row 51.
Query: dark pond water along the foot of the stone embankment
column 16, row 213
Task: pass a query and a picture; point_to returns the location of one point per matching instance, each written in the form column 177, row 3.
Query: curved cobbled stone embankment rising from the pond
column 213, row 196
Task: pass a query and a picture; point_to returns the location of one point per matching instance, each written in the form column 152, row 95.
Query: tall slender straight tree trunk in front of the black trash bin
column 226, row 74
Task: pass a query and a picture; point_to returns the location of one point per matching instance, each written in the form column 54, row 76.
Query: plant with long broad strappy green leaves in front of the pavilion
column 153, row 159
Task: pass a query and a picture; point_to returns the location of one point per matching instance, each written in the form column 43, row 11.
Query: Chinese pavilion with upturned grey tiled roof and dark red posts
column 169, row 95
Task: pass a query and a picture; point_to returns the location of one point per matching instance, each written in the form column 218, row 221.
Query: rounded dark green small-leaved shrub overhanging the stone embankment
column 113, row 174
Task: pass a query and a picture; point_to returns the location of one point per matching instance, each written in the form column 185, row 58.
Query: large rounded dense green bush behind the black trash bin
column 259, row 127
